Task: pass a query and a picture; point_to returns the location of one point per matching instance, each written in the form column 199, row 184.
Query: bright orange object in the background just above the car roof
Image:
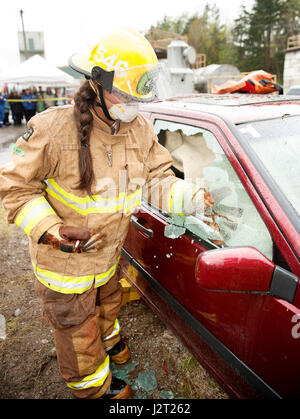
column 259, row 82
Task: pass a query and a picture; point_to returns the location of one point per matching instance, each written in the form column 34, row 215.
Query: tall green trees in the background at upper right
column 256, row 40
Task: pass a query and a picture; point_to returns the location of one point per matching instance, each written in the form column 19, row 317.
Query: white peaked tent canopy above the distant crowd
column 36, row 70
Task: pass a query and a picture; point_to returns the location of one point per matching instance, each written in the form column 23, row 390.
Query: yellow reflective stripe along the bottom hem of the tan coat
column 72, row 284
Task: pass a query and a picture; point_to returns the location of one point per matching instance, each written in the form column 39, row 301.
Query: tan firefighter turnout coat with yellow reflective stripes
column 38, row 189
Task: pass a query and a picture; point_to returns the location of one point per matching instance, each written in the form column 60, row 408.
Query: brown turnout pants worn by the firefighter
column 85, row 327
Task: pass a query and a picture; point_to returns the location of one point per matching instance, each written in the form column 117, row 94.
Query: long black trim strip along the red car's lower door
column 247, row 374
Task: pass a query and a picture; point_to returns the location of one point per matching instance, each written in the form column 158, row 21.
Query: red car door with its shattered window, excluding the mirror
column 167, row 248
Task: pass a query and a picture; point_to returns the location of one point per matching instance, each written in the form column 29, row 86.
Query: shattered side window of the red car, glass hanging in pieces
column 199, row 159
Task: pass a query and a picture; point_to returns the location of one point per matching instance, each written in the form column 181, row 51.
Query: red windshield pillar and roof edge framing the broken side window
column 265, row 200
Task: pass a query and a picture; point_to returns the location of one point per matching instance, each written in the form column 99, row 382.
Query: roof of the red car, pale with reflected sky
column 237, row 108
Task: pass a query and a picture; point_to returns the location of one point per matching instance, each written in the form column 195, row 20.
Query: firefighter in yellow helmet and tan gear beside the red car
column 76, row 177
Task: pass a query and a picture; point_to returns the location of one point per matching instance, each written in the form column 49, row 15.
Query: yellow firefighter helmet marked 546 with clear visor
column 122, row 61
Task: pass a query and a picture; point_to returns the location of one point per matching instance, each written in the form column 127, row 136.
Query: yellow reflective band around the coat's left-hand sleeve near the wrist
column 35, row 211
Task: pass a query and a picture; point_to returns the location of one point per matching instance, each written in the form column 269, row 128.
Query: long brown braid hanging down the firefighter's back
column 84, row 99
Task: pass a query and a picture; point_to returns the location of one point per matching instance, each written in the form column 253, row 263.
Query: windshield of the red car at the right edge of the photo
column 277, row 144
